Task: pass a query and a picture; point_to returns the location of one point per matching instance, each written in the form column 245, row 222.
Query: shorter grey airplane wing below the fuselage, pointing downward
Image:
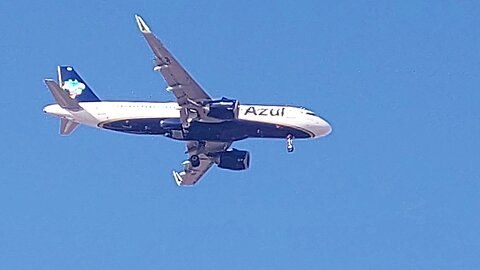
column 190, row 175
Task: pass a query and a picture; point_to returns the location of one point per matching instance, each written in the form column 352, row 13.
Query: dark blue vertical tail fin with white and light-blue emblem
column 76, row 87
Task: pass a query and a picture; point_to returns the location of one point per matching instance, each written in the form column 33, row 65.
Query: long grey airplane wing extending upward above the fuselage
column 187, row 91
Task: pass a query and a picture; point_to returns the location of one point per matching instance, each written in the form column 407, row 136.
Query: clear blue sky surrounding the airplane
column 396, row 185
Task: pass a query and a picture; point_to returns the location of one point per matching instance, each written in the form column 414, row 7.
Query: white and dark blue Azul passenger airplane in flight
column 208, row 126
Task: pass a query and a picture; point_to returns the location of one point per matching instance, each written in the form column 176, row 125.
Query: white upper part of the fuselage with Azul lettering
column 96, row 114
